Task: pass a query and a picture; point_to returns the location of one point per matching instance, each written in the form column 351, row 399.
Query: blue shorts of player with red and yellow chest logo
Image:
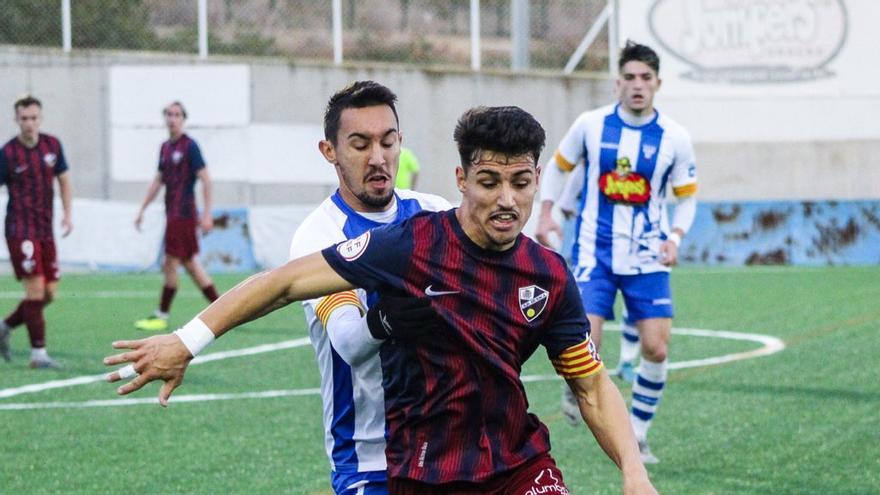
column 647, row 295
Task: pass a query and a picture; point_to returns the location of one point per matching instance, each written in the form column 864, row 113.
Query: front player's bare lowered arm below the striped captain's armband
column 605, row 413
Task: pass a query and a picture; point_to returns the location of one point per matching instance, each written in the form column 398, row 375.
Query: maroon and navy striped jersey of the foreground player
column 456, row 409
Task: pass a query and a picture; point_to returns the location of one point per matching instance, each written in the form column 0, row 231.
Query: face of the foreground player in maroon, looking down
column 497, row 196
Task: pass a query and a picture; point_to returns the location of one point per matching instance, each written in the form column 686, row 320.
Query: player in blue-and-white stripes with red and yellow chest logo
column 632, row 155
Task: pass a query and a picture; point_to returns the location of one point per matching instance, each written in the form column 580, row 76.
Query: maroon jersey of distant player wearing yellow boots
column 179, row 162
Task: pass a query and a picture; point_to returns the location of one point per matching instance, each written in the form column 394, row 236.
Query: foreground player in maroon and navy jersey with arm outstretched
column 456, row 408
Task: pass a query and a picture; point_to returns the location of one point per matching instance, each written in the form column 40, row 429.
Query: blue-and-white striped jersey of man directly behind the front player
column 348, row 358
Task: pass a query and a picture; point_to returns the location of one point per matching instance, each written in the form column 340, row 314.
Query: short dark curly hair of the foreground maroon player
column 508, row 130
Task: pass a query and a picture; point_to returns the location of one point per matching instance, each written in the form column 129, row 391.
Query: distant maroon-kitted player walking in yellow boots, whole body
column 180, row 165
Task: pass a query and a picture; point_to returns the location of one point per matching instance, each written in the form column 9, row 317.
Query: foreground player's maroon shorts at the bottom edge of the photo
column 538, row 476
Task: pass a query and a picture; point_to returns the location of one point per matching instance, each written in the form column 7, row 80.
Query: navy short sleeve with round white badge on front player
column 375, row 260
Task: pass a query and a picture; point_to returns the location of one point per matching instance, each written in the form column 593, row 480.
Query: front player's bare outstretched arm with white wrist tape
column 165, row 357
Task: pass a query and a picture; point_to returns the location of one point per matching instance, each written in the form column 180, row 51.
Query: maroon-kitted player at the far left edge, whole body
column 28, row 164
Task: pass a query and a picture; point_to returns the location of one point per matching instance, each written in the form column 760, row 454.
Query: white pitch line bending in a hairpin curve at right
column 771, row 345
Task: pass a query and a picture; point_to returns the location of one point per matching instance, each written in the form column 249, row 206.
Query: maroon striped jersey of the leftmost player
column 28, row 173
